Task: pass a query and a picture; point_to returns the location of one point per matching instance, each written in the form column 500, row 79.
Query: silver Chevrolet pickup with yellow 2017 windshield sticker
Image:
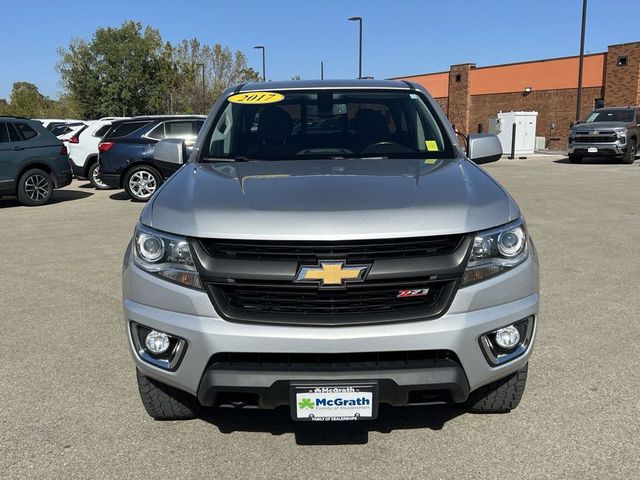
column 330, row 246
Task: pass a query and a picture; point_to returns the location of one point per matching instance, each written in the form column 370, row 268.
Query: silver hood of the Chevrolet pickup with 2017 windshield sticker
column 344, row 199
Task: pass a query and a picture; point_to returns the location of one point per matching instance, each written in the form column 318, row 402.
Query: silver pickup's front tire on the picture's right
column 501, row 396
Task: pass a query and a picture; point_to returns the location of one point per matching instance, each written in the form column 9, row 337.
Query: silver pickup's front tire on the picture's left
column 163, row 402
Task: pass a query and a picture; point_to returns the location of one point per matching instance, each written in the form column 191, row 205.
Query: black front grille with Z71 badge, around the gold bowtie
column 255, row 281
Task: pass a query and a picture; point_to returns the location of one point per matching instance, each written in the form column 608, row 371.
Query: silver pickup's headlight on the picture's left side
column 165, row 255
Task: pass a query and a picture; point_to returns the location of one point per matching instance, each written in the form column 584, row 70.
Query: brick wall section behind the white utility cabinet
column 553, row 106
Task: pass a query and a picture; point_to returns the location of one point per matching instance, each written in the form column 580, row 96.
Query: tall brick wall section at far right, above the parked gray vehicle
column 622, row 83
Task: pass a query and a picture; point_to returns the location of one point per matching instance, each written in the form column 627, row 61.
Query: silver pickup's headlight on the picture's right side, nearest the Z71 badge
column 497, row 250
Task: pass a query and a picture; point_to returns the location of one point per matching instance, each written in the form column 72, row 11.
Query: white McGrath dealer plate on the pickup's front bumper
column 334, row 402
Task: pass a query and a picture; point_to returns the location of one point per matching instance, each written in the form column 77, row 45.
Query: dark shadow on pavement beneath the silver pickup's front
column 278, row 422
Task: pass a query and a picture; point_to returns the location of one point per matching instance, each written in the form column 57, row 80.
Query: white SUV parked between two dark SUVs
column 83, row 150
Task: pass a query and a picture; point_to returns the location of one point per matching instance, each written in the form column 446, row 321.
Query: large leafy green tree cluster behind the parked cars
column 130, row 71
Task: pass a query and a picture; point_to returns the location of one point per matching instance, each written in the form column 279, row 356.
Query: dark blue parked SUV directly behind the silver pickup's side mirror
column 126, row 155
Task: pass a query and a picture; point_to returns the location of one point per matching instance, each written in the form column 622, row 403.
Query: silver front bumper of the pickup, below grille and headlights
column 190, row 315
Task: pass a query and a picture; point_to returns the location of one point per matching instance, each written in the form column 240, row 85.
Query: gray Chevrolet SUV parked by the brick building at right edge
column 606, row 132
